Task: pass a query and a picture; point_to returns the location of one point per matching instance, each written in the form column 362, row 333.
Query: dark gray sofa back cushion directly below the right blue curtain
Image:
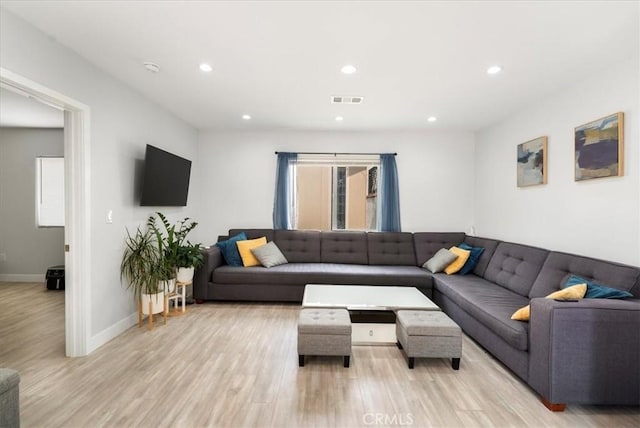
column 391, row 248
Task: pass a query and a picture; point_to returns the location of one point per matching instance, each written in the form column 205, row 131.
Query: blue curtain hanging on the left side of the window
column 284, row 200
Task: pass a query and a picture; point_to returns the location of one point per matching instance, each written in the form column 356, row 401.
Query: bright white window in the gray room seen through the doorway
column 49, row 192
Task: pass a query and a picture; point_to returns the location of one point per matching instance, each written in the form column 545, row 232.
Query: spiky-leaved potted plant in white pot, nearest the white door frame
column 140, row 268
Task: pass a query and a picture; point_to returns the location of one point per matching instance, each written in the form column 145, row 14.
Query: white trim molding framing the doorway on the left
column 77, row 208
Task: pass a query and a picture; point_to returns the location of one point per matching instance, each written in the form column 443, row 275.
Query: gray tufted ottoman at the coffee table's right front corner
column 429, row 334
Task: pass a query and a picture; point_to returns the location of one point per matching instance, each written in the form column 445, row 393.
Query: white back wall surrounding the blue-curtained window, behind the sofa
column 435, row 174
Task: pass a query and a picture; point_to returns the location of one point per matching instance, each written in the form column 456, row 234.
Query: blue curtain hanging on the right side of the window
column 388, row 196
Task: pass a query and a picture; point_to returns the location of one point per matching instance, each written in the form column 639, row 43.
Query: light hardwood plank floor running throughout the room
column 235, row 365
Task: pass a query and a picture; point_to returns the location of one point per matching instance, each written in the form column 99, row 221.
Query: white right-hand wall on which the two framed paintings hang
column 598, row 218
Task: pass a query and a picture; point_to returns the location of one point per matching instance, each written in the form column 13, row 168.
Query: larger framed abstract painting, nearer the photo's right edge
column 599, row 148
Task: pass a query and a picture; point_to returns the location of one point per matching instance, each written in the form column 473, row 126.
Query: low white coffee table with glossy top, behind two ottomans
column 372, row 308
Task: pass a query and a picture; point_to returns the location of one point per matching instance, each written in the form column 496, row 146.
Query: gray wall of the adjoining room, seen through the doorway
column 29, row 250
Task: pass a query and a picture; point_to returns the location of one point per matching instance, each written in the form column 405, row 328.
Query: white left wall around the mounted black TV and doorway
column 122, row 122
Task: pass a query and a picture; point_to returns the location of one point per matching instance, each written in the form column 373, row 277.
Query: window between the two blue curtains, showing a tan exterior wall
column 335, row 192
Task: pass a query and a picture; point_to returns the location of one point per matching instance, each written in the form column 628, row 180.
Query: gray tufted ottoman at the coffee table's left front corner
column 324, row 332
